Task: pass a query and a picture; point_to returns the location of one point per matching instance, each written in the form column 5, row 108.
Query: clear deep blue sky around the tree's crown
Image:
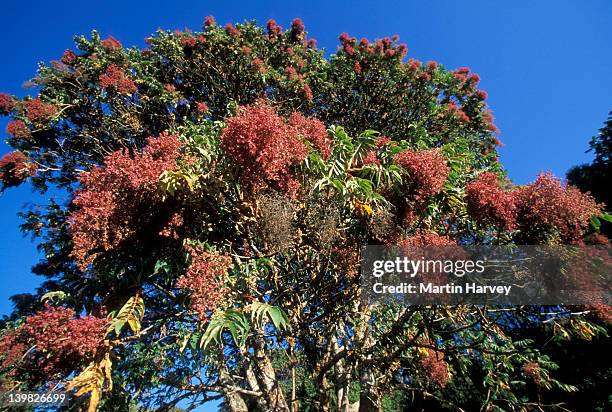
column 545, row 64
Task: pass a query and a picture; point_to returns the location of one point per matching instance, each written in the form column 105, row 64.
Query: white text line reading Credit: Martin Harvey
column 449, row 288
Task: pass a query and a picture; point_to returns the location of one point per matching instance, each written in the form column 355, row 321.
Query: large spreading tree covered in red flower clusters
column 220, row 185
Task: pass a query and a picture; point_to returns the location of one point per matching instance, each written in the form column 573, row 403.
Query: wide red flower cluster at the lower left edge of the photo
column 61, row 342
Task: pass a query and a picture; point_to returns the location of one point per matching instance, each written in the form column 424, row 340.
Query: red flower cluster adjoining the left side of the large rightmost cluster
column 489, row 204
